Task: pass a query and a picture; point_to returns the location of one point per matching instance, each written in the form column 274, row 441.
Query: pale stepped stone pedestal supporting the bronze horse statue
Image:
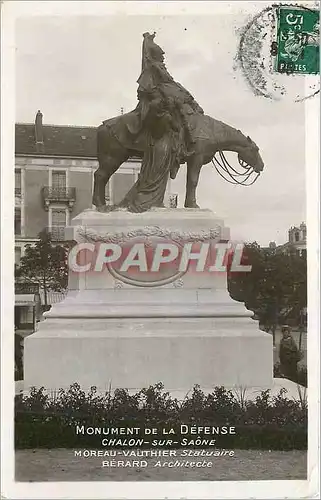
column 133, row 329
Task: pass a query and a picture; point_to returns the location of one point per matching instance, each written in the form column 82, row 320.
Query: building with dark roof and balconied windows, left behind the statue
column 54, row 176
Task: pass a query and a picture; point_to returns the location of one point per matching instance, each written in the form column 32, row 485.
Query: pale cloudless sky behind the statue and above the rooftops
column 80, row 70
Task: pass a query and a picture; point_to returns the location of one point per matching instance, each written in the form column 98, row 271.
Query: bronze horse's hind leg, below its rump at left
column 107, row 167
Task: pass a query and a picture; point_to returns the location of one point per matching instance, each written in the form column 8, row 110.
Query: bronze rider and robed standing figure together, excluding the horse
column 163, row 106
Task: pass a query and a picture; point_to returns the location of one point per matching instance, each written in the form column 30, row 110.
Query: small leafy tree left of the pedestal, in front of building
column 44, row 264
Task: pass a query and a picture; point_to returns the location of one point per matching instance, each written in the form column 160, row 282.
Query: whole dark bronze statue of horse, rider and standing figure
column 166, row 129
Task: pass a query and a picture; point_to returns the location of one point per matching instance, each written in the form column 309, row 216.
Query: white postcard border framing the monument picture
column 82, row 490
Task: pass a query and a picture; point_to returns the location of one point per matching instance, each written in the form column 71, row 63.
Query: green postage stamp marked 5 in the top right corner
column 297, row 46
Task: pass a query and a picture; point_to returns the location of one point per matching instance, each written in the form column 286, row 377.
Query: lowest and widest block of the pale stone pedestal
column 131, row 354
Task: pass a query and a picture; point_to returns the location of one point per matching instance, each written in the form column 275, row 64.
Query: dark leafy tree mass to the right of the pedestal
column 276, row 287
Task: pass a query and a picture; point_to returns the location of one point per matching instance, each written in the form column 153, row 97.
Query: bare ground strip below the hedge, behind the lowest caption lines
column 62, row 465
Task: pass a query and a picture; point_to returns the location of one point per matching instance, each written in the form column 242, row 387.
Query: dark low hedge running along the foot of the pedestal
column 277, row 423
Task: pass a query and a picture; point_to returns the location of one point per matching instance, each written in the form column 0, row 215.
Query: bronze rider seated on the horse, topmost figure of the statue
column 155, row 82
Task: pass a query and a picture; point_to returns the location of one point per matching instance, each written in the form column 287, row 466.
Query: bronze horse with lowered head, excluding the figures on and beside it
column 117, row 140
